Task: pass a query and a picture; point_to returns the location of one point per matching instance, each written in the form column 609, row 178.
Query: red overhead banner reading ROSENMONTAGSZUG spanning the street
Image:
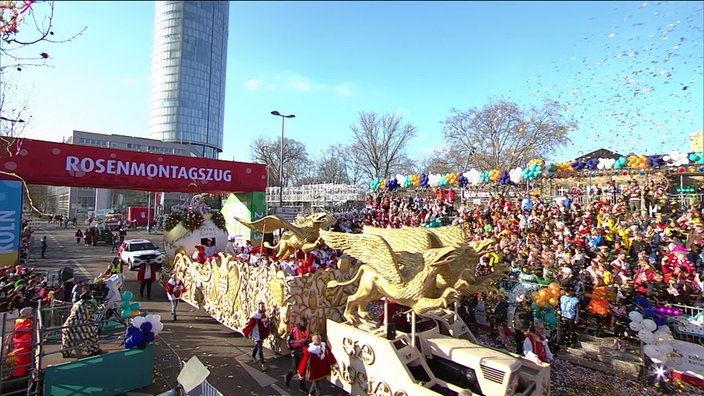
column 73, row 165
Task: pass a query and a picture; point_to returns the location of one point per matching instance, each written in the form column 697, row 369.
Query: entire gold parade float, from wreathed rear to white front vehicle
column 424, row 269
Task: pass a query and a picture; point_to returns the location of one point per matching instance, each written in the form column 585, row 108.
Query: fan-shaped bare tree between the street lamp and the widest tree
column 379, row 143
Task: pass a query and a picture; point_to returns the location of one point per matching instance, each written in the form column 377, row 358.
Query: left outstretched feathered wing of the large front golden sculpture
column 372, row 250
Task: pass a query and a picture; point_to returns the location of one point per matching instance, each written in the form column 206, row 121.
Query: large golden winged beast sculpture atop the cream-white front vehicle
column 424, row 269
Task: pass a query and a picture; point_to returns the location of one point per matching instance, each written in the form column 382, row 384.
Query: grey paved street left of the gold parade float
column 195, row 333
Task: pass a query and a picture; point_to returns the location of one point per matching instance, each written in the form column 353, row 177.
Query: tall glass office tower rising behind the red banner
column 189, row 61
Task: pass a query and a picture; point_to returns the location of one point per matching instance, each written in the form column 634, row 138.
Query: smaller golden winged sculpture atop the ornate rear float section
column 303, row 234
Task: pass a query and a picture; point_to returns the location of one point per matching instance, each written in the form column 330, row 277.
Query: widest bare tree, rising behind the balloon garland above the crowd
column 504, row 136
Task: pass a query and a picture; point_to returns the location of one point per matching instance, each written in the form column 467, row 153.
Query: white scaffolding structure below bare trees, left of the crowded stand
column 309, row 197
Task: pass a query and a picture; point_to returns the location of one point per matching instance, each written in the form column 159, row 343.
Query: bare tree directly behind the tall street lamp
column 268, row 151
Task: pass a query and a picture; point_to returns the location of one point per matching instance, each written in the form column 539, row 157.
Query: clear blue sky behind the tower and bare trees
column 621, row 67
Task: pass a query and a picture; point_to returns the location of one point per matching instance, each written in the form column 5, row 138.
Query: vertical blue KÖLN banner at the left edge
column 11, row 193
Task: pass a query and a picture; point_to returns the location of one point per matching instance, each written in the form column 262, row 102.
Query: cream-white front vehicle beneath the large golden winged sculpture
column 442, row 359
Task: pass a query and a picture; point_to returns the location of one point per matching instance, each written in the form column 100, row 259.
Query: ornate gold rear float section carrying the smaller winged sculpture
column 229, row 288
